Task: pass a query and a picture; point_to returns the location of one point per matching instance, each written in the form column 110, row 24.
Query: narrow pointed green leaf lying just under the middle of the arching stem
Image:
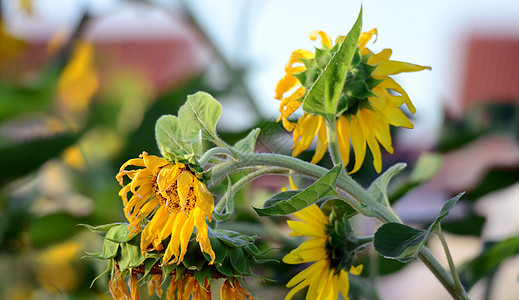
column 297, row 201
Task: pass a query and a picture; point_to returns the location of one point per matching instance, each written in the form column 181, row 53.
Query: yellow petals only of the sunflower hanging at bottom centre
column 326, row 277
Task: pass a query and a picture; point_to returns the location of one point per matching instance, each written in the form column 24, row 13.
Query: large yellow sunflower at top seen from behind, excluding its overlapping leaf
column 369, row 102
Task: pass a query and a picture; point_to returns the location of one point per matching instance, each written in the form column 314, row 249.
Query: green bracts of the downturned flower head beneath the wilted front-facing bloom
column 234, row 252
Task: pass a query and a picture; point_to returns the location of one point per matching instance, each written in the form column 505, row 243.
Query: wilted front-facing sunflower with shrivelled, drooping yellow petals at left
column 176, row 200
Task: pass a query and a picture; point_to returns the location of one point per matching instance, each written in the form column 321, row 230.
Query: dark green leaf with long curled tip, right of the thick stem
column 403, row 243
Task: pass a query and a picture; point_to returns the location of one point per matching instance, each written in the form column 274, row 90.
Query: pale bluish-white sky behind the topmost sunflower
column 264, row 33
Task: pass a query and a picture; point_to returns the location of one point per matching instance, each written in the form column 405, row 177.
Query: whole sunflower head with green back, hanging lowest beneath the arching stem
column 331, row 248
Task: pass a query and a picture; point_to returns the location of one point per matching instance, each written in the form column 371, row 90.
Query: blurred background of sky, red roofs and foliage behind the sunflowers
column 82, row 83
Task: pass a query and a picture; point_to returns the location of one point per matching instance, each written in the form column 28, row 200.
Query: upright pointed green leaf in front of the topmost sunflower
column 323, row 96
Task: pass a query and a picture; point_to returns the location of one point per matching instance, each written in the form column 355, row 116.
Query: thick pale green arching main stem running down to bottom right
column 351, row 188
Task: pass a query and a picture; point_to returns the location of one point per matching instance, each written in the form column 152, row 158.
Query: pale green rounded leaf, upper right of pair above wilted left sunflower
column 200, row 113
